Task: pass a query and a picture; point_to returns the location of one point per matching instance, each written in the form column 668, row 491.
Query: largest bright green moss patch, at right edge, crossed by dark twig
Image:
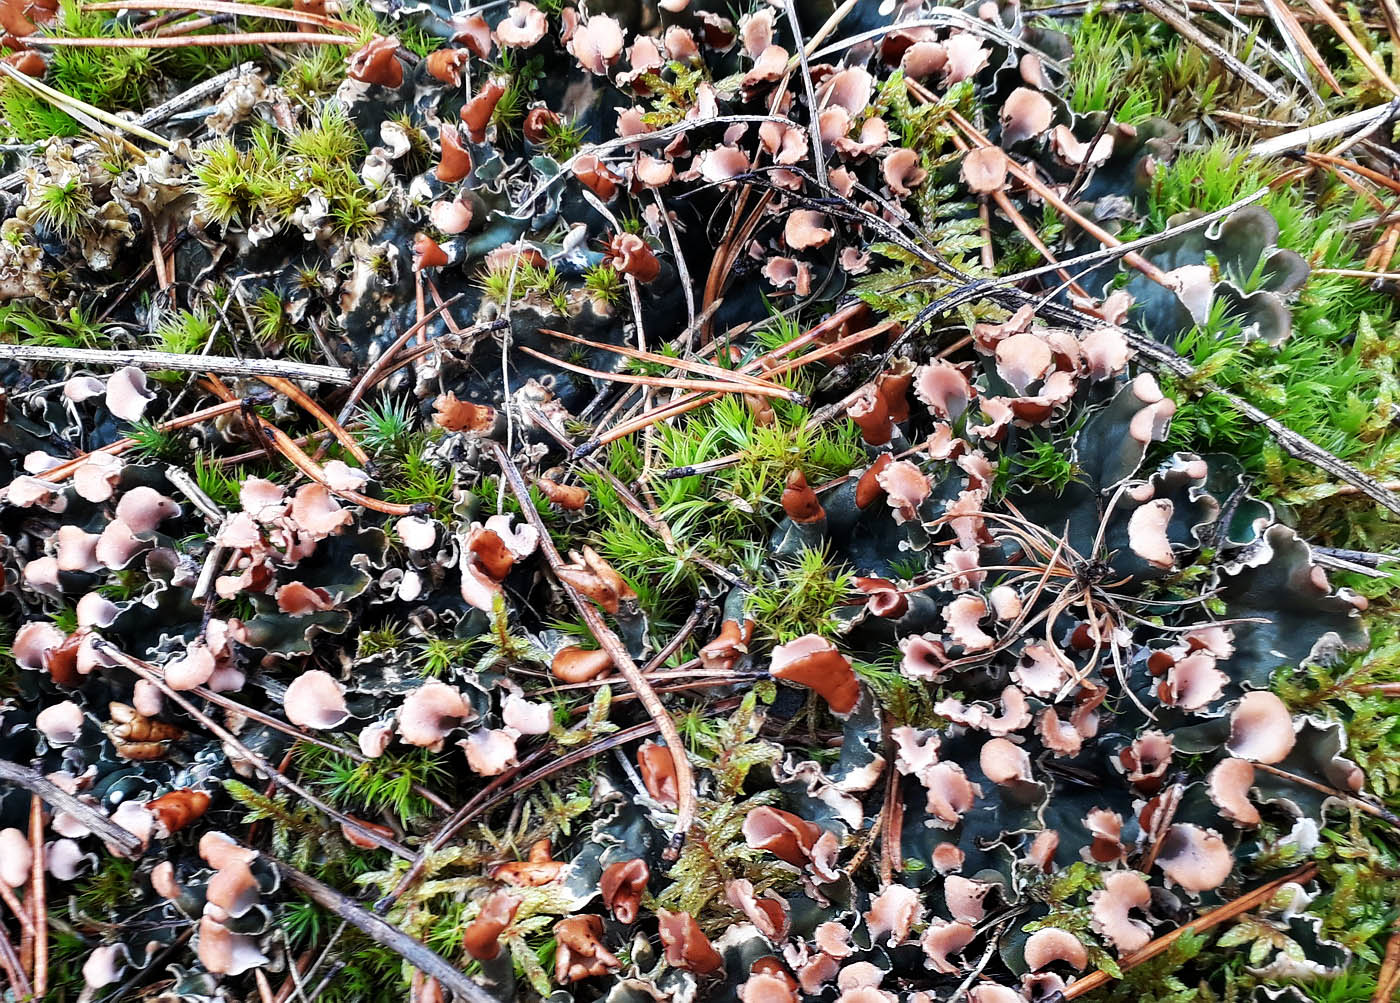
column 1333, row 380
